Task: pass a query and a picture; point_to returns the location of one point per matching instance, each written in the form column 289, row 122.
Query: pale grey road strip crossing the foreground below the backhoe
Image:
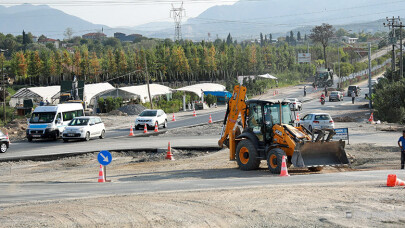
column 29, row 192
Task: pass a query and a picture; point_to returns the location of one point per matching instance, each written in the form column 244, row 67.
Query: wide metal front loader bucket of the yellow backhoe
column 312, row 154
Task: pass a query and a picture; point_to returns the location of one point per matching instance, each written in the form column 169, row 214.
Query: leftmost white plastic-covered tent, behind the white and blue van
column 35, row 93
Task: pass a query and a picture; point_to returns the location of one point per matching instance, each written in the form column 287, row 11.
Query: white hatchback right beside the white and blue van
column 84, row 127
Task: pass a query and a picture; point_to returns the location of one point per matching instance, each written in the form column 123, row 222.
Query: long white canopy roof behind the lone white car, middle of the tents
column 135, row 92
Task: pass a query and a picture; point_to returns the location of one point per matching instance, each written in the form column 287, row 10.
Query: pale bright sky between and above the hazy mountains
column 124, row 13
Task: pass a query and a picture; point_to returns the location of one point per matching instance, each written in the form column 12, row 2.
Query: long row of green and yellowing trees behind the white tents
column 167, row 61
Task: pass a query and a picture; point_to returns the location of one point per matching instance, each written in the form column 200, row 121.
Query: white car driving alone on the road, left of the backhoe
column 150, row 117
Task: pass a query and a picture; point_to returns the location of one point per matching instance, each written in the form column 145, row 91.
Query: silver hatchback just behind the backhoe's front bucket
column 317, row 121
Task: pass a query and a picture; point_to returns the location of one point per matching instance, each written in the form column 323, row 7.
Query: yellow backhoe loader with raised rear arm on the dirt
column 268, row 134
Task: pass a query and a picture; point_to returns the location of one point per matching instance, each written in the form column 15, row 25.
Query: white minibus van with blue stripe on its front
column 50, row 121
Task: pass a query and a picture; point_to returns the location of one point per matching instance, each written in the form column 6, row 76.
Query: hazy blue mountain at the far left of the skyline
column 43, row 19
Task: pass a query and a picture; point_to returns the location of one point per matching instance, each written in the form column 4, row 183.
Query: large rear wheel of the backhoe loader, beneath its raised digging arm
column 246, row 155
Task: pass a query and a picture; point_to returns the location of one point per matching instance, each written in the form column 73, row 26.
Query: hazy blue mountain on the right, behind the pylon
column 246, row 17
